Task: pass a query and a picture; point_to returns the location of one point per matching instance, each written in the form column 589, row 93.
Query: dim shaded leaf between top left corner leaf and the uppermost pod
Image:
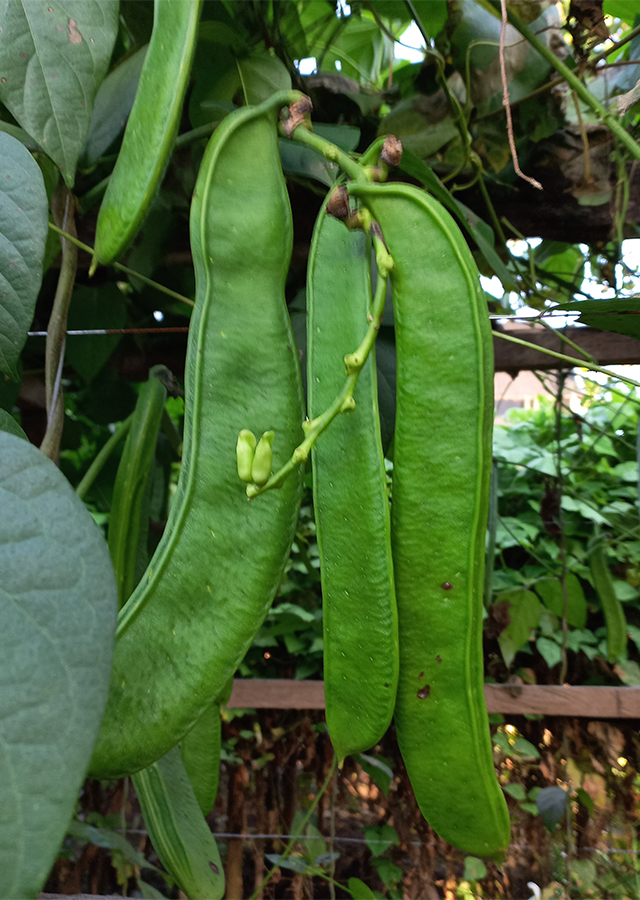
column 112, row 107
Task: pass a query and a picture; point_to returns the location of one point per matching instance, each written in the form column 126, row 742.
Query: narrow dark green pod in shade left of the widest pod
column 125, row 525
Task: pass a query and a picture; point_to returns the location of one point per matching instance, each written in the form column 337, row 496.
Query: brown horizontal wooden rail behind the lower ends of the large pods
column 517, row 699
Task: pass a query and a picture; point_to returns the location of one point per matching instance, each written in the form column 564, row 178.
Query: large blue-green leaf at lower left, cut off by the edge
column 57, row 625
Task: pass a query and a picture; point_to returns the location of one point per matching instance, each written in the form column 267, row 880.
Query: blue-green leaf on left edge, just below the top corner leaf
column 23, row 234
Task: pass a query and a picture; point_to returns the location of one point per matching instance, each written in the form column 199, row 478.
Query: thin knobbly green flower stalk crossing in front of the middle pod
column 344, row 402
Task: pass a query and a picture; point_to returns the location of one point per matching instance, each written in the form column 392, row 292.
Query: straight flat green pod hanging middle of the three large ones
column 350, row 498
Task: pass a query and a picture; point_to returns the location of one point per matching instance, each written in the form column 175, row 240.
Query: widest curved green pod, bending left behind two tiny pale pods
column 188, row 624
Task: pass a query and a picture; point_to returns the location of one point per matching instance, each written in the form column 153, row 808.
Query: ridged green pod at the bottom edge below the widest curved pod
column 178, row 830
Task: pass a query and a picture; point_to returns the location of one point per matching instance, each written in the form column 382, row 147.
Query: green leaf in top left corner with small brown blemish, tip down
column 53, row 57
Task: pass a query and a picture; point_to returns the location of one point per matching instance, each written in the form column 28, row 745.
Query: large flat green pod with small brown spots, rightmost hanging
column 442, row 460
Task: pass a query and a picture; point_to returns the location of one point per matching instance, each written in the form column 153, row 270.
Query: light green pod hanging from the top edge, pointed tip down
column 151, row 128
